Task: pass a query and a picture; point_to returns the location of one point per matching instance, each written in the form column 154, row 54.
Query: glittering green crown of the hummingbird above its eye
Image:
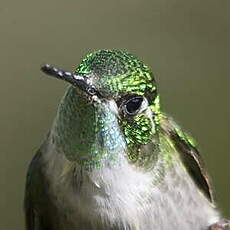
column 115, row 73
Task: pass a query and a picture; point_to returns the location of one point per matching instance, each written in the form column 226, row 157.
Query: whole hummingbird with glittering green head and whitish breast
column 113, row 160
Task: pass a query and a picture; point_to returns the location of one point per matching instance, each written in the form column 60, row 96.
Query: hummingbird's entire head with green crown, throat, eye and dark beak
column 111, row 107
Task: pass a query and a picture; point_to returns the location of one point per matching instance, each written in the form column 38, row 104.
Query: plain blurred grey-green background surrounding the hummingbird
column 186, row 42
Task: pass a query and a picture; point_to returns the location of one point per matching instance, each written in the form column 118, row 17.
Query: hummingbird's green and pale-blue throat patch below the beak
column 87, row 134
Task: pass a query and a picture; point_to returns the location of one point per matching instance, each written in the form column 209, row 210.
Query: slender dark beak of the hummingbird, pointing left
column 80, row 81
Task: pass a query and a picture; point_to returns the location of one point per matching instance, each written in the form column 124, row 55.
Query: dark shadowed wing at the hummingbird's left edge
column 37, row 203
